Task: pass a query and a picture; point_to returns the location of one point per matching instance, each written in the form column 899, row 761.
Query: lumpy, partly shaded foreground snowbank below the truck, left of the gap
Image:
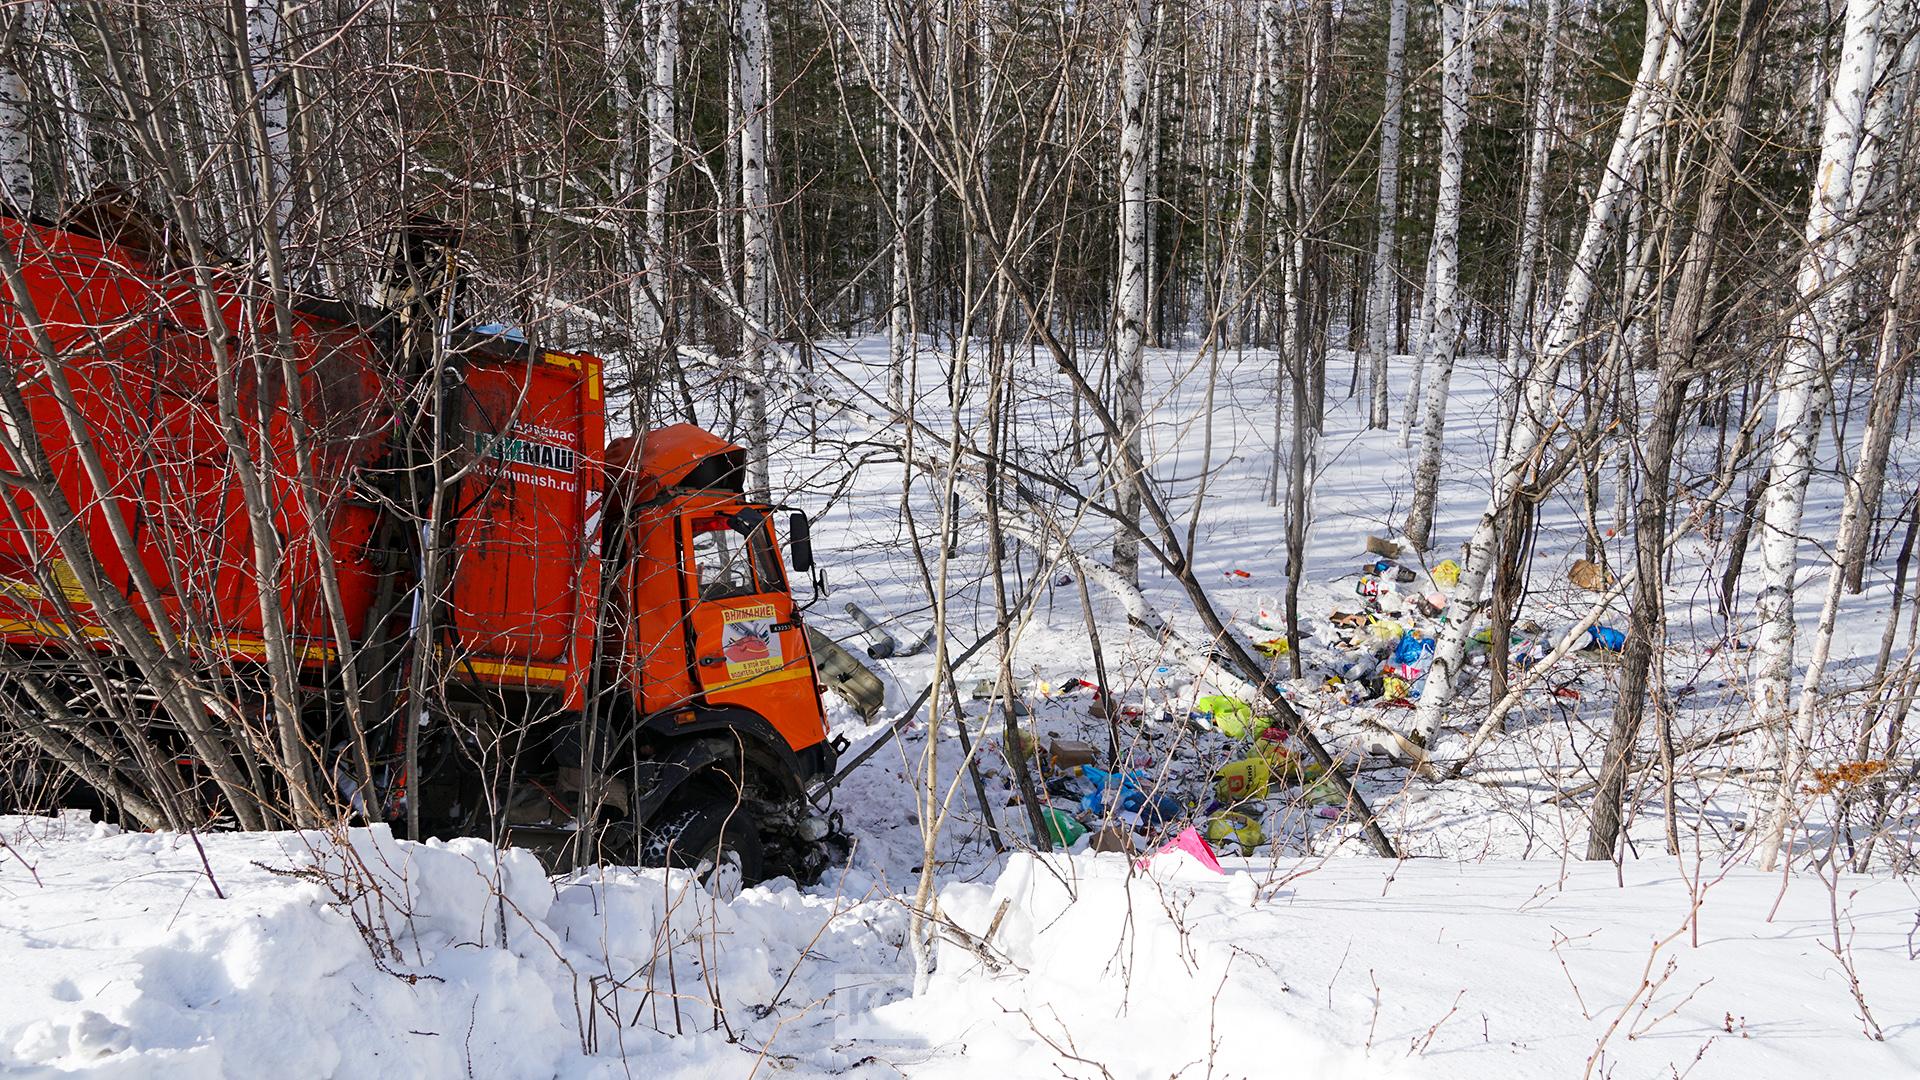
column 377, row 958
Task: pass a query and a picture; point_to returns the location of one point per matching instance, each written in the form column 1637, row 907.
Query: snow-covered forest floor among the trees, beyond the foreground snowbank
column 1220, row 426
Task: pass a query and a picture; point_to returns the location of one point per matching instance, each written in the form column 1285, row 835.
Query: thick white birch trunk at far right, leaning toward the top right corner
column 1800, row 401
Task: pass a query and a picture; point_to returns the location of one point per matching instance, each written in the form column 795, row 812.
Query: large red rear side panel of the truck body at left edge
column 145, row 460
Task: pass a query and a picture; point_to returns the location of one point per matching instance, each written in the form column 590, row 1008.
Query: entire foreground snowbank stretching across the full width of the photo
column 364, row 956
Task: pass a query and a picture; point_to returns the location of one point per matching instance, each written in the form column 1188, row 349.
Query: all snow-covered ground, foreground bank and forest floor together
column 1489, row 954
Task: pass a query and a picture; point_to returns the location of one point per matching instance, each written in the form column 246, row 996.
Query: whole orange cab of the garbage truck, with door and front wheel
column 702, row 635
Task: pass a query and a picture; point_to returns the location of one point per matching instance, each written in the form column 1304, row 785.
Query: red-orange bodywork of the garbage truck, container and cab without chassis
column 133, row 428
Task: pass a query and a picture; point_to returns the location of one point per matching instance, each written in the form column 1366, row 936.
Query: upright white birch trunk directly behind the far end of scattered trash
column 1443, row 339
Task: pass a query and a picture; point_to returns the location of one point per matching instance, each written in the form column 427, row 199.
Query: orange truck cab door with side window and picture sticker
column 748, row 647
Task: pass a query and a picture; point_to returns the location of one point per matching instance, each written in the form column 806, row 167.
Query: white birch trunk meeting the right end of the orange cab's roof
column 757, row 268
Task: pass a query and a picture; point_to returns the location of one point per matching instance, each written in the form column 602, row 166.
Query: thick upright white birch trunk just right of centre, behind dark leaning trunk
column 1130, row 301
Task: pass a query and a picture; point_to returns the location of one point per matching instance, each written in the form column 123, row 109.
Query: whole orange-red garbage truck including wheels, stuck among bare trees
column 504, row 624
